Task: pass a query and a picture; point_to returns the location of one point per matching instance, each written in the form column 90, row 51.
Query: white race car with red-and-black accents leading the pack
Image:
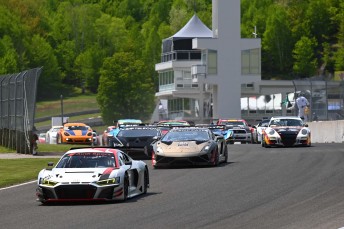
column 90, row 174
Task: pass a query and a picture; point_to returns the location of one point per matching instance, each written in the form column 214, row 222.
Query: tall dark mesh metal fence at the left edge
column 17, row 109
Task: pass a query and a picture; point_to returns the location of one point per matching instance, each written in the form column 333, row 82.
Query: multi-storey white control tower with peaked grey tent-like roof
column 201, row 70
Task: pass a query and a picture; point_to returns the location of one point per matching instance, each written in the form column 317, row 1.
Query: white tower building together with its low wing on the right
column 209, row 74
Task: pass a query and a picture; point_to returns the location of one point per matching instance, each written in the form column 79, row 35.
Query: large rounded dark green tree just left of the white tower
column 125, row 91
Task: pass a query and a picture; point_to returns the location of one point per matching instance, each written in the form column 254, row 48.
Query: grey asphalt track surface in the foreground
column 280, row 188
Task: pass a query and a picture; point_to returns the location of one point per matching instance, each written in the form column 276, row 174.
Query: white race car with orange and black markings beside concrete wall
column 286, row 131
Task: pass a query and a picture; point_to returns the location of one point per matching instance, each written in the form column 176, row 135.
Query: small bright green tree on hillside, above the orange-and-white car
column 305, row 62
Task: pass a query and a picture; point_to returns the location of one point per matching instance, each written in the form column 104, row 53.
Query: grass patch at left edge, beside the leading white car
column 29, row 169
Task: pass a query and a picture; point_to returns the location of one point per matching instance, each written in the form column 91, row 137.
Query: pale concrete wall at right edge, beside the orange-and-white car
column 327, row 131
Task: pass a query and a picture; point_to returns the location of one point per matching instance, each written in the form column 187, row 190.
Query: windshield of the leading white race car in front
column 87, row 160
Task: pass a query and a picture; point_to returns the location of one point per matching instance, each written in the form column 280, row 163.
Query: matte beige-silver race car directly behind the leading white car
column 190, row 146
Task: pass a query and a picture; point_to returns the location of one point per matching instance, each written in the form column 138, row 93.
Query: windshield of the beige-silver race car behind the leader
column 186, row 136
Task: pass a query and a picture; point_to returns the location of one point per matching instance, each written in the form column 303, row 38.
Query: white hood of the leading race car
column 78, row 174
